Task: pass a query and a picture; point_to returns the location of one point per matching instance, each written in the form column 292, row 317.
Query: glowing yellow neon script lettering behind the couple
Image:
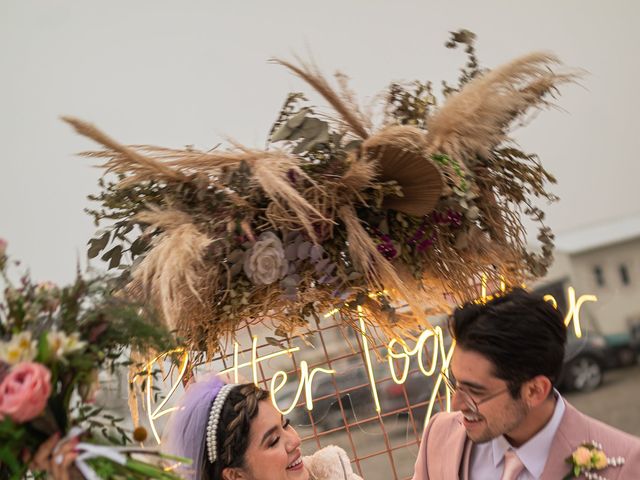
column 397, row 350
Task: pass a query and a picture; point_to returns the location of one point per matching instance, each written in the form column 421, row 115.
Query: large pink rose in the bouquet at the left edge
column 24, row 391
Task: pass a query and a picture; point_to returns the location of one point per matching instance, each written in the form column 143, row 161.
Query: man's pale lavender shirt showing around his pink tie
column 534, row 452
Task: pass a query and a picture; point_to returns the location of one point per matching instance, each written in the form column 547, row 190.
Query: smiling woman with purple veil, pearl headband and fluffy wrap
column 233, row 432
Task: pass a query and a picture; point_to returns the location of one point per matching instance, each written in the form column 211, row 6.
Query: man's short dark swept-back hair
column 519, row 332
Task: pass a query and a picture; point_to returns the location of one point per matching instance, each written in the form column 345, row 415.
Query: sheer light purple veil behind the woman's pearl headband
column 184, row 434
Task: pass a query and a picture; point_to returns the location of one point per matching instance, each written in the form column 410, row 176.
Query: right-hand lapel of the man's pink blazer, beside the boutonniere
column 572, row 431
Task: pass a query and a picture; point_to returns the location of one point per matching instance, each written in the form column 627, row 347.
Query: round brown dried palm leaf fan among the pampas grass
column 401, row 154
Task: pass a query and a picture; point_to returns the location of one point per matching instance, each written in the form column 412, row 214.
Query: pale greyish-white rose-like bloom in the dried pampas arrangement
column 265, row 263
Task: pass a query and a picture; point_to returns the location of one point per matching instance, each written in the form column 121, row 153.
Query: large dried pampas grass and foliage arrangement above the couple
column 335, row 212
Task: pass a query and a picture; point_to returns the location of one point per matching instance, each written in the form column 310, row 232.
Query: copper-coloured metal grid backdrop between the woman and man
column 381, row 445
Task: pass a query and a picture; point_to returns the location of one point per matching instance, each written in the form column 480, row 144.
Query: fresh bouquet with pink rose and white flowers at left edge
column 53, row 343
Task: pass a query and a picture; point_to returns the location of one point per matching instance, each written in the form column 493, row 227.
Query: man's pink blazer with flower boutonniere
column 443, row 455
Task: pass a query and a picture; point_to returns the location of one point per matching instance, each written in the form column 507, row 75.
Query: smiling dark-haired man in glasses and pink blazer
column 510, row 423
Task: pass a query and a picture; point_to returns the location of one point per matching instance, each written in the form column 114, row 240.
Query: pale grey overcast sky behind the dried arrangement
column 192, row 72
